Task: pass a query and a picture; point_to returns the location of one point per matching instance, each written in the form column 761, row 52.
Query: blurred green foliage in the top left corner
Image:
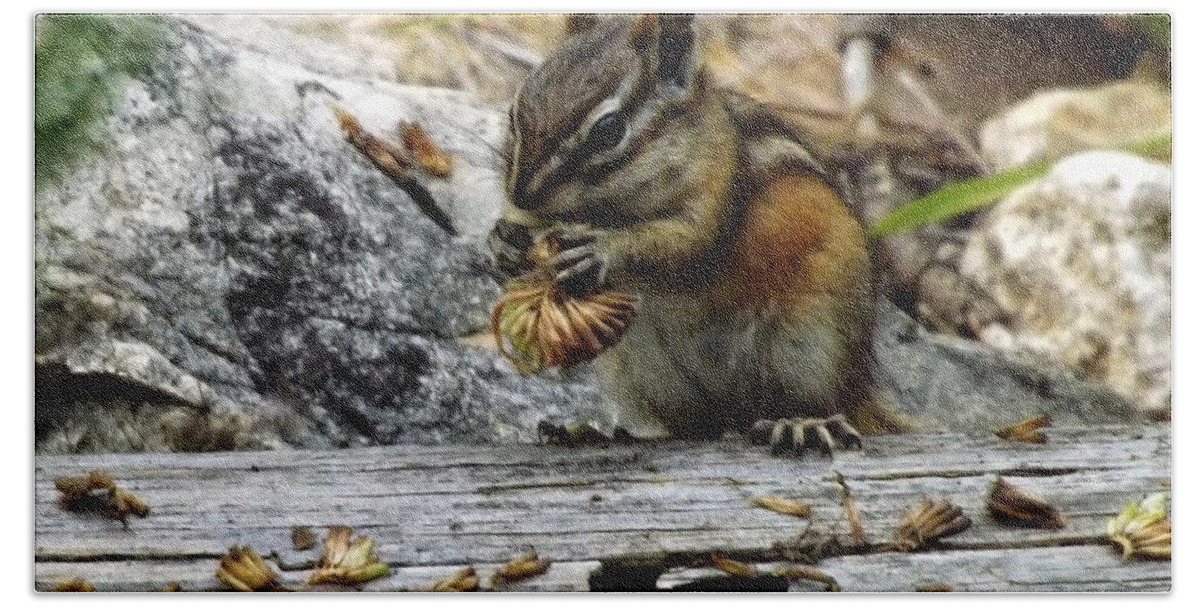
column 80, row 63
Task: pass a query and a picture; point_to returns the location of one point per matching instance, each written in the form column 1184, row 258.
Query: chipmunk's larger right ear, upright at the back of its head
column 671, row 43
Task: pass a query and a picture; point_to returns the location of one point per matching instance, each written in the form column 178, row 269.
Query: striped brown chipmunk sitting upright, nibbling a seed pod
column 754, row 278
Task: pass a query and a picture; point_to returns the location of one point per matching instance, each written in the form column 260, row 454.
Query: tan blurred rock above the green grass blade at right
column 1063, row 122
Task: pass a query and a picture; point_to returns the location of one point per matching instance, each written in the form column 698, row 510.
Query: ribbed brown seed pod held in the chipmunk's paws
column 538, row 326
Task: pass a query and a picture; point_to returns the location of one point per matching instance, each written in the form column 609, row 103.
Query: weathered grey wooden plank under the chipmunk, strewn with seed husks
column 615, row 517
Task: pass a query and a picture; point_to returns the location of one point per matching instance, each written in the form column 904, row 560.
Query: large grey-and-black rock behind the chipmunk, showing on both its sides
column 229, row 273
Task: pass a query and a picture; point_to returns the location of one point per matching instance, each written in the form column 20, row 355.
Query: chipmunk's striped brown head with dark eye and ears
column 601, row 119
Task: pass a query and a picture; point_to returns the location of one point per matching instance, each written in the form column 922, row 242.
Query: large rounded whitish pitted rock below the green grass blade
column 1081, row 263
